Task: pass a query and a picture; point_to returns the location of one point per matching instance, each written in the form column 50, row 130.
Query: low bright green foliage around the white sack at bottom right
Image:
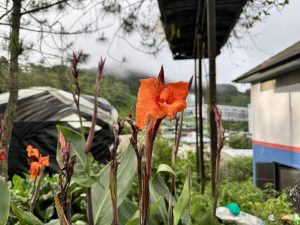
column 250, row 199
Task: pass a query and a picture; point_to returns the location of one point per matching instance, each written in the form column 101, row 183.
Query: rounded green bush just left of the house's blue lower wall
column 238, row 169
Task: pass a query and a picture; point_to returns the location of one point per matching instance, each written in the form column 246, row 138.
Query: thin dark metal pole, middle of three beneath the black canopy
column 200, row 102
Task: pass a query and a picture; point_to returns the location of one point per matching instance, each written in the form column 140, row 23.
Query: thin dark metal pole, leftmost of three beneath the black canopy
column 196, row 121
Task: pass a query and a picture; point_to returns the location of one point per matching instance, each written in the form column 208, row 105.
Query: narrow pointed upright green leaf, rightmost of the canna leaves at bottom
column 182, row 201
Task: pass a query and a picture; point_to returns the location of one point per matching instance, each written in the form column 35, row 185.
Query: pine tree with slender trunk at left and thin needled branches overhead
column 19, row 16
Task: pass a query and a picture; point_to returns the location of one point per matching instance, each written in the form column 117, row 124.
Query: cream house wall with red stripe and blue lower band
column 276, row 122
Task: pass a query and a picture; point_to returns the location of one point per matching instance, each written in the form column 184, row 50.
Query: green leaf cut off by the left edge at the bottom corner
column 4, row 201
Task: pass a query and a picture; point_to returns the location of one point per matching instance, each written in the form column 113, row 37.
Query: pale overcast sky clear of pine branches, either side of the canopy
column 277, row 32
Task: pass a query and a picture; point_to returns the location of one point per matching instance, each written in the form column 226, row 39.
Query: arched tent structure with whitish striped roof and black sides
column 40, row 110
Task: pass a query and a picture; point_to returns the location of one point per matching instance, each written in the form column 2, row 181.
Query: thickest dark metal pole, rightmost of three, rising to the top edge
column 211, row 36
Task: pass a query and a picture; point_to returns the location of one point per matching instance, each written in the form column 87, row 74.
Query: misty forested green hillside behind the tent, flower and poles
column 120, row 91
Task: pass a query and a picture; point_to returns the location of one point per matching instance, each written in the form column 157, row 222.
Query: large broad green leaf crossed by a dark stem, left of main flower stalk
column 102, row 206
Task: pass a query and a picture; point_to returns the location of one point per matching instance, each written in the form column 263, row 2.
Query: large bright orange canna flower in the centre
column 157, row 100
